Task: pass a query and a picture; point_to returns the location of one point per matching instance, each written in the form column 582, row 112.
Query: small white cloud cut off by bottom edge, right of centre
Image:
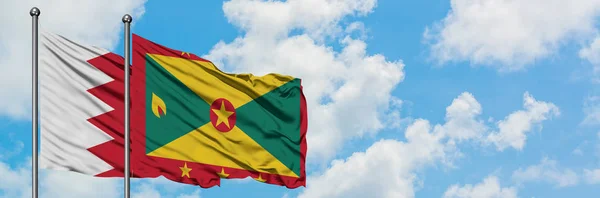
column 488, row 188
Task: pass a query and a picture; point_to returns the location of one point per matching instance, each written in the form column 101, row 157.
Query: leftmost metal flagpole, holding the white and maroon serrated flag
column 35, row 13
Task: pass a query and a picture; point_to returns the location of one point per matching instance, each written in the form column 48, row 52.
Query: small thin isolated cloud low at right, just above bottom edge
column 547, row 171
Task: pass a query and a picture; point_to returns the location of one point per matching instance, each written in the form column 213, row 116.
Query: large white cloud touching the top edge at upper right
column 510, row 33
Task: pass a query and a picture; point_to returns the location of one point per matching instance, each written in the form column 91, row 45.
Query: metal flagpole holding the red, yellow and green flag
column 127, row 22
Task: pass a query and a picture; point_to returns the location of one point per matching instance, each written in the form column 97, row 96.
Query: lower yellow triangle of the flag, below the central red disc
column 233, row 149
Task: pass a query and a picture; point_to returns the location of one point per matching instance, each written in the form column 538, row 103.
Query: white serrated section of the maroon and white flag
column 65, row 105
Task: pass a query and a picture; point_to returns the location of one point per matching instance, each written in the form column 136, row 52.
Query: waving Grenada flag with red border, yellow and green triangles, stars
column 197, row 123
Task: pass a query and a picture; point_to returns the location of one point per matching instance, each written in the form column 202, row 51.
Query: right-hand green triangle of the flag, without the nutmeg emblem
column 273, row 121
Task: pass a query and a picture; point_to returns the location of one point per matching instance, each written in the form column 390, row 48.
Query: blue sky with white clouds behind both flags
column 430, row 98
